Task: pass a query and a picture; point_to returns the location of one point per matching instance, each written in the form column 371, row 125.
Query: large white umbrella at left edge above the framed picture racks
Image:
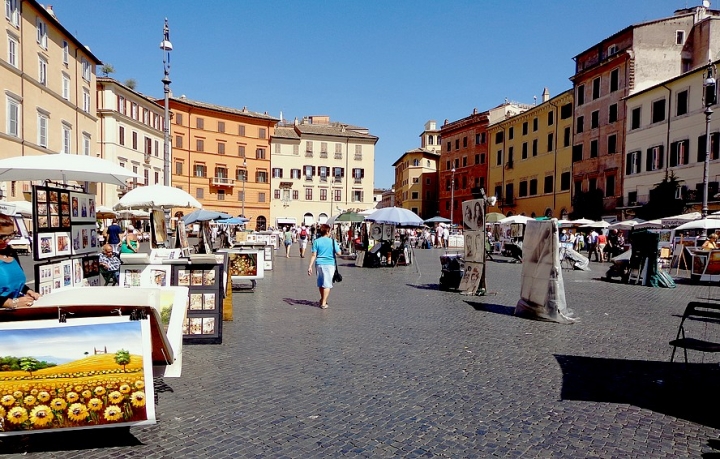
column 64, row 167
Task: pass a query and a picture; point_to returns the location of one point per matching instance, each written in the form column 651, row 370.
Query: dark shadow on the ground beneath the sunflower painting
column 68, row 441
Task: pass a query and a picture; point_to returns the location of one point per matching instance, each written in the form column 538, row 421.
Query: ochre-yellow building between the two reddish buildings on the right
column 530, row 166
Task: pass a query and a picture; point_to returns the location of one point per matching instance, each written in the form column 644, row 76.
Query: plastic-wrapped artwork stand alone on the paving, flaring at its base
column 542, row 292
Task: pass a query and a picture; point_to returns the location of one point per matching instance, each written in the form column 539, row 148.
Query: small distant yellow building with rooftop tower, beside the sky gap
column 416, row 182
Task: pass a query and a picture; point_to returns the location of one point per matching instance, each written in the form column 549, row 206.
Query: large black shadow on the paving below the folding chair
column 685, row 391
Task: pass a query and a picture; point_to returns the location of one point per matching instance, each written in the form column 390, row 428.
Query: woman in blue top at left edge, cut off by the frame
column 13, row 291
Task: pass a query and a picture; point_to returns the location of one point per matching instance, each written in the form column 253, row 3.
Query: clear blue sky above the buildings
column 389, row 66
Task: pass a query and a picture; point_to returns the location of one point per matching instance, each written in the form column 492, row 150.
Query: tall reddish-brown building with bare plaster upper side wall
column 633, row 59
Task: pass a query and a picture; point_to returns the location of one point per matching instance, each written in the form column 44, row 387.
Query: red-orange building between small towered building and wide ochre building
column 463, row 160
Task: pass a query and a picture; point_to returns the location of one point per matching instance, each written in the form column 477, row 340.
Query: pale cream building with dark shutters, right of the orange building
column 320, row 168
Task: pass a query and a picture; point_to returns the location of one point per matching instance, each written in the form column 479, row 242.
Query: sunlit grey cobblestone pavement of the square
column 396, row 367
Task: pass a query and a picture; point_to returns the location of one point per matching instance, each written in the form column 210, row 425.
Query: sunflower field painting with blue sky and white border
column 86, row 373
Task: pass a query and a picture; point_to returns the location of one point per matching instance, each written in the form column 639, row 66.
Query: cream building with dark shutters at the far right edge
column 666, row 137
